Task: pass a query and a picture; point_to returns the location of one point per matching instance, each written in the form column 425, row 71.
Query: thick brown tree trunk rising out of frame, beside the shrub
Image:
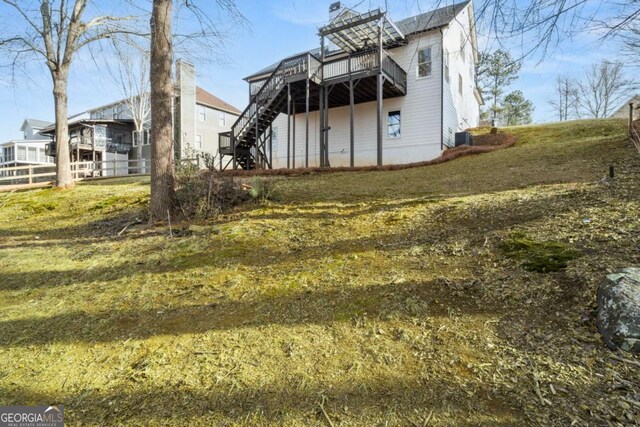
column 162, row 192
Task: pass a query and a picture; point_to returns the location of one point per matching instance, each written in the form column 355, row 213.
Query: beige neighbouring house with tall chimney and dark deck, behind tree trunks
column 107, row 133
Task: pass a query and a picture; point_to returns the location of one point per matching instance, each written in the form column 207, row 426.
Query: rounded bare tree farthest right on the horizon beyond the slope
column 603, row 89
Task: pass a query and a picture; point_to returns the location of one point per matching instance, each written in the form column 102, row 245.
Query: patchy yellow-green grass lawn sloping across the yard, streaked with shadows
column 384, row 298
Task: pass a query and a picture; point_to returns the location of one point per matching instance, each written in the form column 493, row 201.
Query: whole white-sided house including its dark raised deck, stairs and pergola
column 366, row 97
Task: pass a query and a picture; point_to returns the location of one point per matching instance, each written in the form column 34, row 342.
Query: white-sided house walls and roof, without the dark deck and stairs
column 436, row 50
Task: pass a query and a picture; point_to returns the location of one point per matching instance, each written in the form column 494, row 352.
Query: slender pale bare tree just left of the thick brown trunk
column 131, row 71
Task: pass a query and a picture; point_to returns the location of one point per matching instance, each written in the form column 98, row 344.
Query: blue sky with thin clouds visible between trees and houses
column 273, row 30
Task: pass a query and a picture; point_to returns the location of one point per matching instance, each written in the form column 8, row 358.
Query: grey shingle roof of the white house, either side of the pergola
column 413, row 25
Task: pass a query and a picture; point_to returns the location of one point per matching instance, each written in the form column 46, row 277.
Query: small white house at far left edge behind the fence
column 27, row 151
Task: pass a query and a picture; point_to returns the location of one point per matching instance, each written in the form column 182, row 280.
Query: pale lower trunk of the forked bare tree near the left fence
column 64, row 179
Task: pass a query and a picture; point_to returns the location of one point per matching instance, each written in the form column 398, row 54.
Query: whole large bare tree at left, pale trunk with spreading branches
column 54, row 31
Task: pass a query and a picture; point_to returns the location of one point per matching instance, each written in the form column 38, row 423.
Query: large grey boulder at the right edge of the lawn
column 619, row 310
